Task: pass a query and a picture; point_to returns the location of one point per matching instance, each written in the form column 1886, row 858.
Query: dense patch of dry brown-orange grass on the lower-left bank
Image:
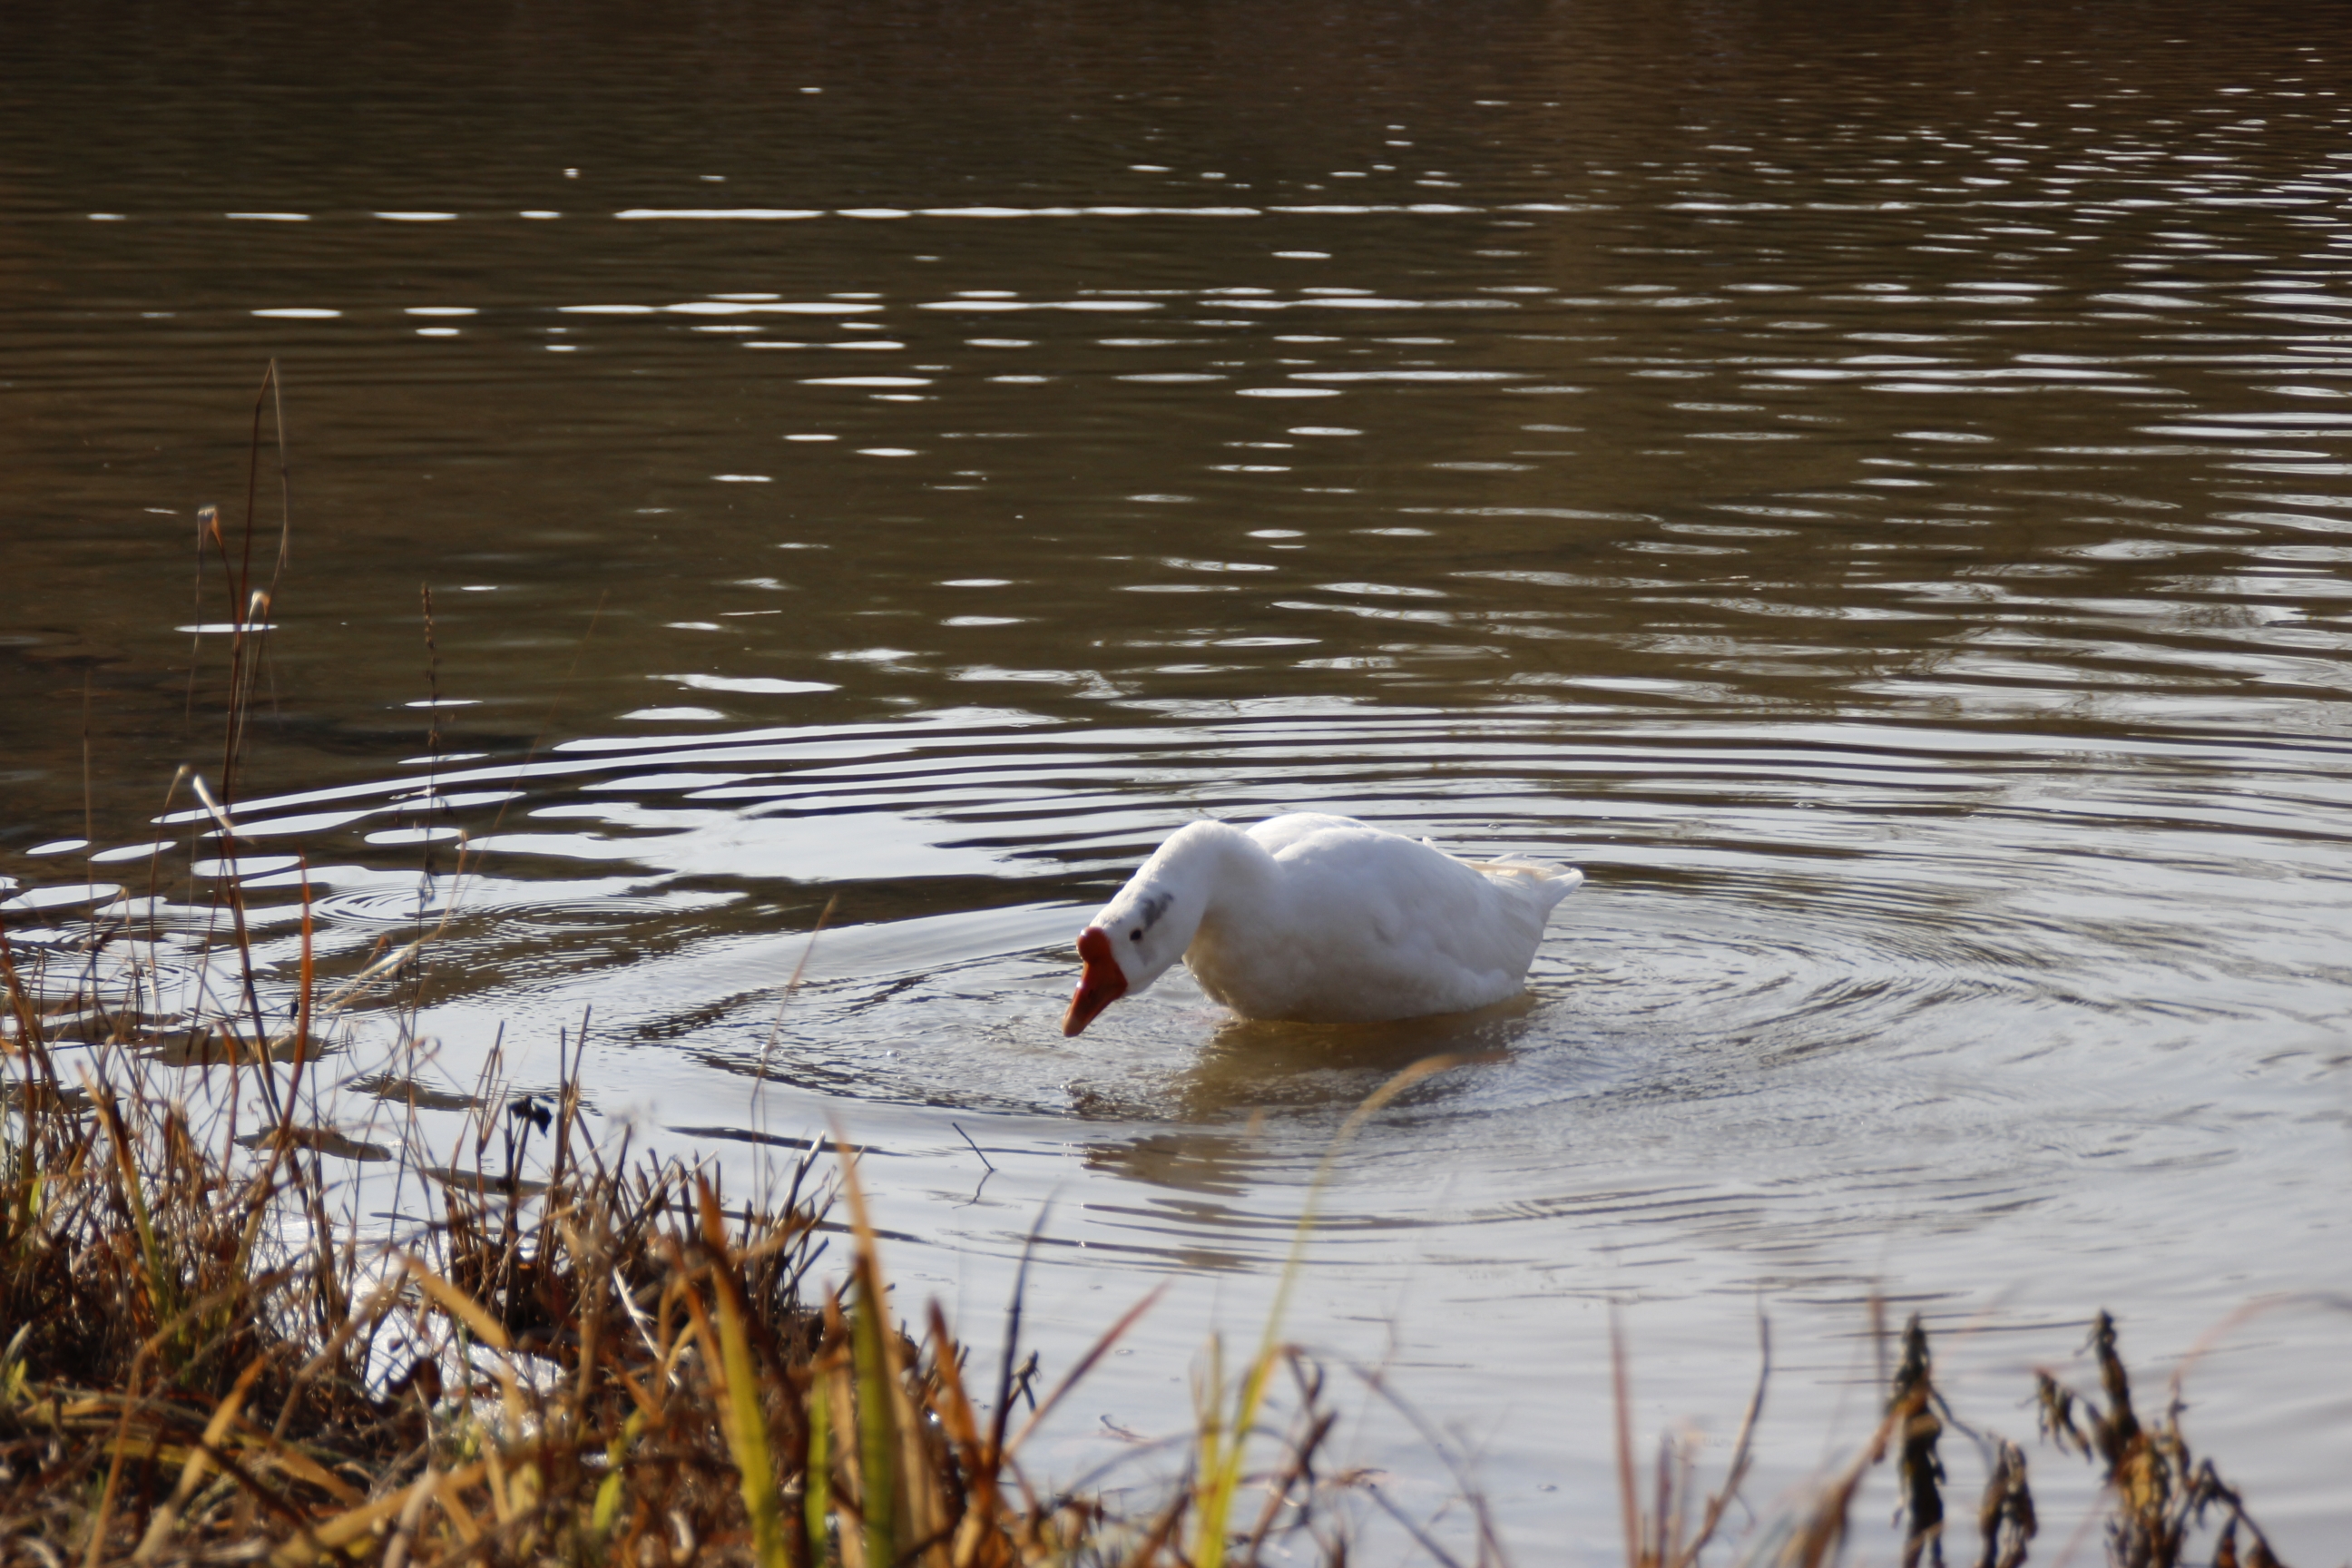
column 587, row 1365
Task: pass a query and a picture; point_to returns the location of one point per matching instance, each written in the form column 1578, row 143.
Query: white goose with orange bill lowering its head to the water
column 1321, row 920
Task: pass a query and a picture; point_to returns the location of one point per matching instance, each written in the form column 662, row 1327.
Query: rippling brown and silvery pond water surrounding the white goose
column 1869, row 490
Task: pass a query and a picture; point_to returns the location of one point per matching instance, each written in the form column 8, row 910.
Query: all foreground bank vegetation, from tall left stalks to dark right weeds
column 580, row 1355
